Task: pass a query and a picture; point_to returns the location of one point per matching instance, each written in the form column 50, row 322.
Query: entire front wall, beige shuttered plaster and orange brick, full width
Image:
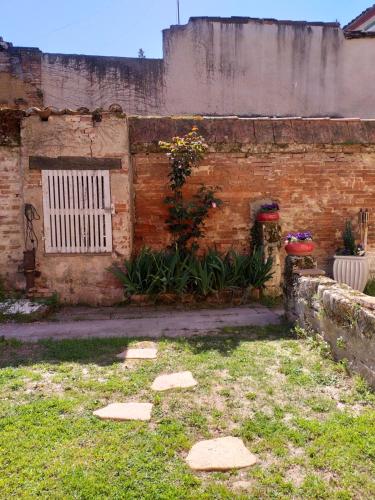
column 320, row 171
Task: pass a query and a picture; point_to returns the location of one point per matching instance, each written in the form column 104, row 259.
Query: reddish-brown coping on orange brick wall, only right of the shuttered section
column 234, row 134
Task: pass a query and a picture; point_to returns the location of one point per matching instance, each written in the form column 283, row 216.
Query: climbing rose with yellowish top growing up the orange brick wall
column 186, row 217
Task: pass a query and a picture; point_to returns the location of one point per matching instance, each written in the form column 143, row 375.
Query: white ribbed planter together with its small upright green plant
column 351, row 265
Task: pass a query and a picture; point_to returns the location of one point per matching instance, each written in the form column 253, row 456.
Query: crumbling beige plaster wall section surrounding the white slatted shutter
column 81, row 278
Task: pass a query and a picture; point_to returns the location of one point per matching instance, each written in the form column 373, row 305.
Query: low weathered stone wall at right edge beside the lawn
column 344, row 317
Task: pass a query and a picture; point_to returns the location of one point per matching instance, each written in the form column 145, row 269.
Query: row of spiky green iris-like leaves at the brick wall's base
column 155, row 272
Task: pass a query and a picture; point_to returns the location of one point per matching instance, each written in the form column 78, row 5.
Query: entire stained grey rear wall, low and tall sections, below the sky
column 210, row 66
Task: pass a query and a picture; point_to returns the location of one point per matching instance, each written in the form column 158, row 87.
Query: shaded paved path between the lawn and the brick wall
column 140, row 322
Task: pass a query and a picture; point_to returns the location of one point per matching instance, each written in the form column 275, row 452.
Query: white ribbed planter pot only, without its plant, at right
column 352, row 270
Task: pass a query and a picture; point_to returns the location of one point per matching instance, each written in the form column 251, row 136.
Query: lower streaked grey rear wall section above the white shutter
column 71, row 81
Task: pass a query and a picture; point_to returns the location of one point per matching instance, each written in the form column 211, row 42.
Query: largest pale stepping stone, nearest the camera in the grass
column 220, row 454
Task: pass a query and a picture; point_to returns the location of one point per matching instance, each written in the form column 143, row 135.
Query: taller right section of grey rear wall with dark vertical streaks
column 245, row 66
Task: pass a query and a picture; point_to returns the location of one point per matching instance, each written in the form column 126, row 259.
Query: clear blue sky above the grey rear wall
column 121, row 27
